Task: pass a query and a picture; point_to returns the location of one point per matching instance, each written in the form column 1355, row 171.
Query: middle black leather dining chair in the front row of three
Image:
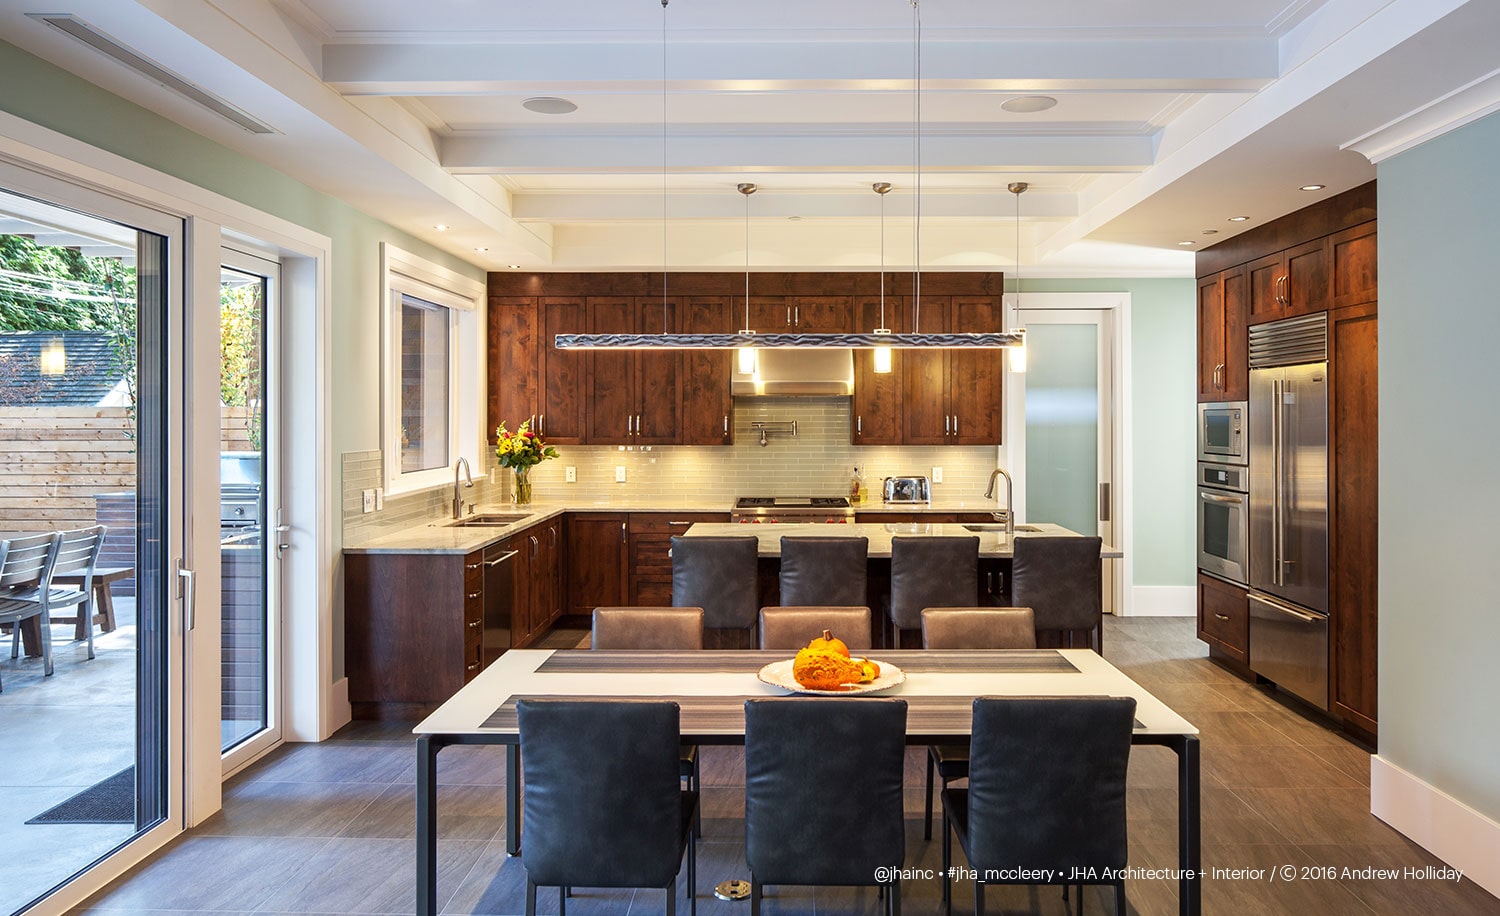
column 824, row 794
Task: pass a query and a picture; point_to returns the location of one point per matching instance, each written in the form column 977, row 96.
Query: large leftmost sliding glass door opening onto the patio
column 92, row 436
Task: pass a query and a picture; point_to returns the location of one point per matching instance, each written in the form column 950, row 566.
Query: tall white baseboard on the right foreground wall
column 1438, row 822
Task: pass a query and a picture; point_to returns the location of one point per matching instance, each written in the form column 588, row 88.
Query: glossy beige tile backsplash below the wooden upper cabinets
column 818, row 461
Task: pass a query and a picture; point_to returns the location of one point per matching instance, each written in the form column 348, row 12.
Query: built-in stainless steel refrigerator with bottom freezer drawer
column 1289, row 506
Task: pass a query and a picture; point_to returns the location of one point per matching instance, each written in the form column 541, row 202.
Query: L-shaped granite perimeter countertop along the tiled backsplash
column 440, row 536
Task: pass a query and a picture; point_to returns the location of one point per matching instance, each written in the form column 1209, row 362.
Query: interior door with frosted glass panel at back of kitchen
column 1070, row 425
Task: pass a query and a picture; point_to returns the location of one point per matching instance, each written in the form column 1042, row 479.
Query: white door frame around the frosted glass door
column 1115, row 412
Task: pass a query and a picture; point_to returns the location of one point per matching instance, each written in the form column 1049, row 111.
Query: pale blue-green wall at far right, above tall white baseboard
column 1439, row 489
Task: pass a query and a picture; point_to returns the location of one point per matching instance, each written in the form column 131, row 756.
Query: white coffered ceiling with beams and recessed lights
column 1172, row 116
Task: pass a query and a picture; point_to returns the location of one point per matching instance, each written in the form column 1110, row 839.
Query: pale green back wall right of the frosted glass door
column 1165, row 362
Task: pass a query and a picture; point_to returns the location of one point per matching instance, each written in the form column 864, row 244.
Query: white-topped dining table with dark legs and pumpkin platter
column 710, row 687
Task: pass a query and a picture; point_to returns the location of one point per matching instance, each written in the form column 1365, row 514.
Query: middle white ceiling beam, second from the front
column 880, row 155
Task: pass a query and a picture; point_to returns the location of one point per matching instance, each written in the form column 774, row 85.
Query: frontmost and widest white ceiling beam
column 1162, row 65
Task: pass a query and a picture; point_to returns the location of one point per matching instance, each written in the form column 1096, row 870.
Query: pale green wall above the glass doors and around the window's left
column 70, row 106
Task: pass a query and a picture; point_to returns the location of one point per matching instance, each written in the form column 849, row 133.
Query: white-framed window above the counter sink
column 433, row 370
